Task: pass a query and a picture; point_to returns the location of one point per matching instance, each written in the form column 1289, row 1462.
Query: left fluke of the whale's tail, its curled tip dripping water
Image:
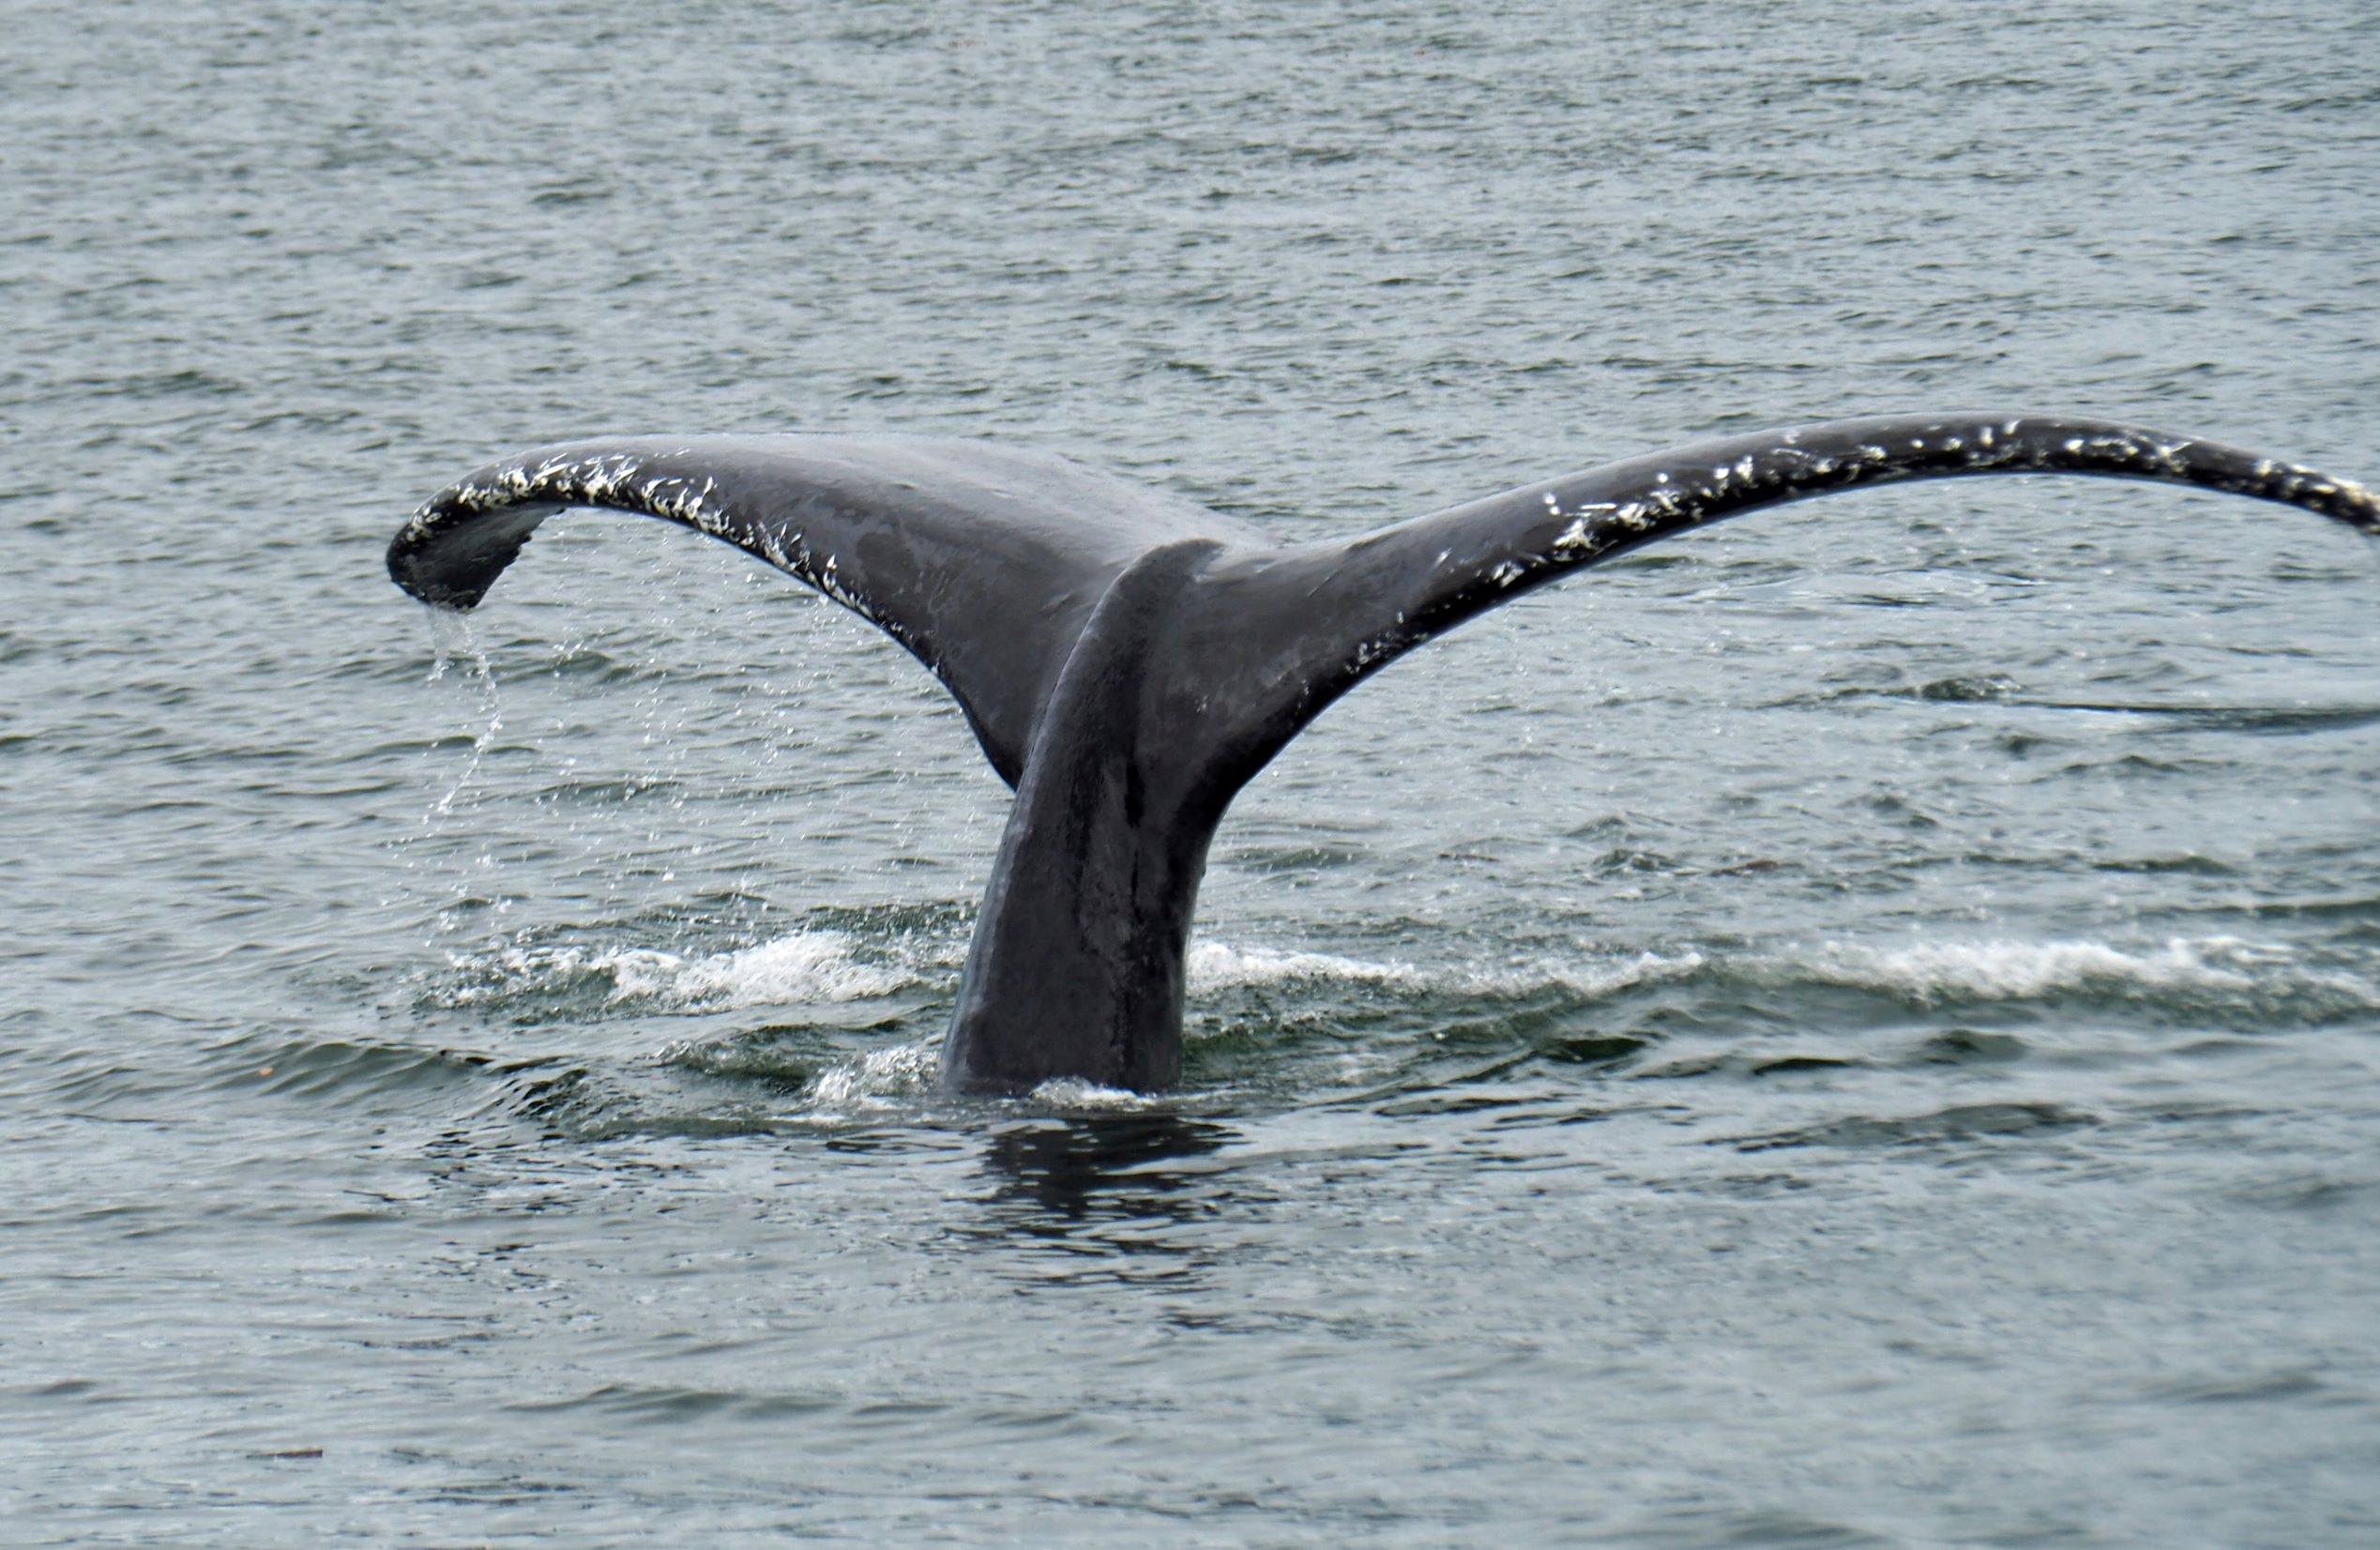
column 982, row 561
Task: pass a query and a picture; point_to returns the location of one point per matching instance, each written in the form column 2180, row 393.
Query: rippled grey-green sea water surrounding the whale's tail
column 1853, row 1030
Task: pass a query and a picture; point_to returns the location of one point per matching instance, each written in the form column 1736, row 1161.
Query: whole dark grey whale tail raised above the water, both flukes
column 1129, row 661
